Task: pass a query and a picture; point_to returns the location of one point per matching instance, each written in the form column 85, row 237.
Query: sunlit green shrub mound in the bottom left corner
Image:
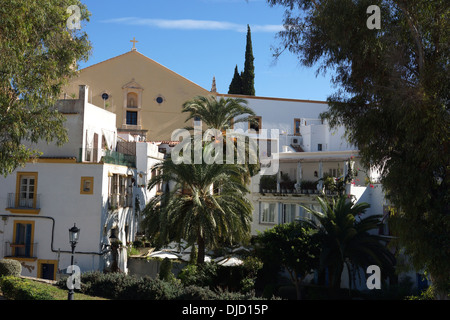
column 15, row 288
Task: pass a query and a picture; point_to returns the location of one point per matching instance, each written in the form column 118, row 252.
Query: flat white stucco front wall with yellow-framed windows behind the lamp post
column 58, row 185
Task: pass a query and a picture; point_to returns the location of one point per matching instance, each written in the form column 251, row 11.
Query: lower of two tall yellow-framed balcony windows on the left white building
column 23, row 239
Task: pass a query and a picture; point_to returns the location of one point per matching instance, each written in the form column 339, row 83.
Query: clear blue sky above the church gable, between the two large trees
column 199, row 39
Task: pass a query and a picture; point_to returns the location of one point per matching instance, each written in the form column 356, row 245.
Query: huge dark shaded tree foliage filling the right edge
column 393, row 99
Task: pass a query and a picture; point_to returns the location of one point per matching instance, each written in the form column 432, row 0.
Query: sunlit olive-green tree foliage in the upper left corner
column 37, row 57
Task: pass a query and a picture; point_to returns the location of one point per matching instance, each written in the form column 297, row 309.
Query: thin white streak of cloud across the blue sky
column 190, row 24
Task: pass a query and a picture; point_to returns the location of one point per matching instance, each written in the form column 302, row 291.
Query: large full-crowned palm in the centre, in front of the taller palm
column 207, row 205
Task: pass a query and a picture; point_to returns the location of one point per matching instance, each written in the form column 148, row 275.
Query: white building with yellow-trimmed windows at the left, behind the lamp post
column 85, row 182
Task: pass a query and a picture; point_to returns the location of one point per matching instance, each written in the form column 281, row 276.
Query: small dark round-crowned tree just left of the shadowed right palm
column 295, row 246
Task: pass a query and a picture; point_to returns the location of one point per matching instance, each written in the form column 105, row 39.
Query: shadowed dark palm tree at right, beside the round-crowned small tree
column 346, row 238
